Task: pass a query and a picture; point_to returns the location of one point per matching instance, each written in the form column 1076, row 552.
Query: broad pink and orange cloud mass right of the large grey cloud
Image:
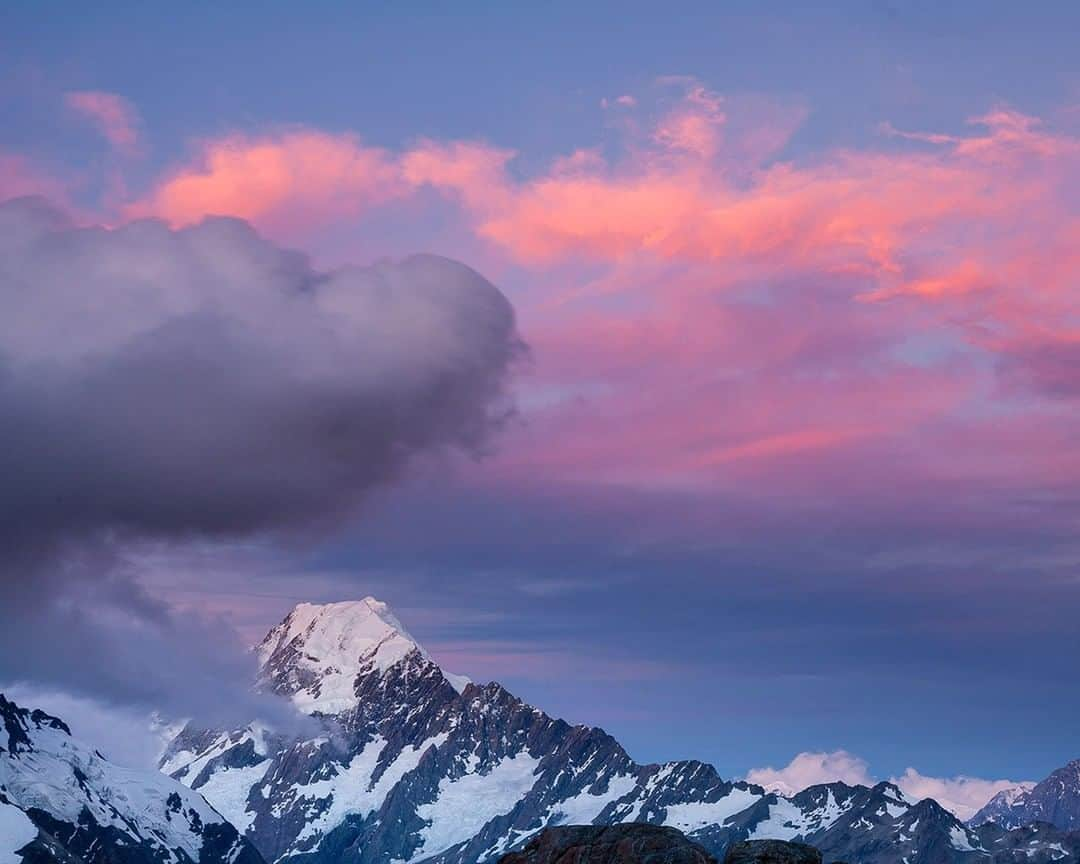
column 668, row 375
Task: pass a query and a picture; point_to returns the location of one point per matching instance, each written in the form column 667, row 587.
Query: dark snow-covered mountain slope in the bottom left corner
column 63, row 802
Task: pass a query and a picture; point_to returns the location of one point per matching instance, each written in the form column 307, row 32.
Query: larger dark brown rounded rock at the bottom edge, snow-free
column 627, row 844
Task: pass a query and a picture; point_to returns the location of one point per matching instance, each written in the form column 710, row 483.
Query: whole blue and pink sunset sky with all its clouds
column 733, row 402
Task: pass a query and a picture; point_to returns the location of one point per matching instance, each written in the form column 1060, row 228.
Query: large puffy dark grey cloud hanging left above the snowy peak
column 205, row 384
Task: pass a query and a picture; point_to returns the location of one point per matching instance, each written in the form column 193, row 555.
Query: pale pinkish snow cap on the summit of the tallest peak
column 318, row 653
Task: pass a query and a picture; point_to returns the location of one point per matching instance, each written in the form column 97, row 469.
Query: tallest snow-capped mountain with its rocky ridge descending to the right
column 409, row 765
